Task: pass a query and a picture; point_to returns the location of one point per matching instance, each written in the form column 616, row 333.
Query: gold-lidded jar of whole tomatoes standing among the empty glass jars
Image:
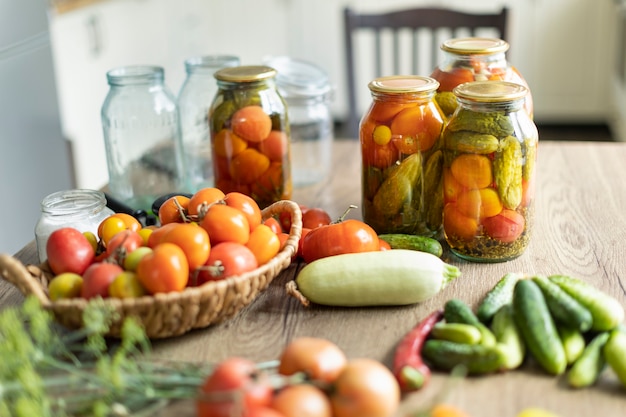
column 250, row 137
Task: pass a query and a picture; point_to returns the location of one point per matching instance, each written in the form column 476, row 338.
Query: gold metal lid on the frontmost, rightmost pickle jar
column 490, row 91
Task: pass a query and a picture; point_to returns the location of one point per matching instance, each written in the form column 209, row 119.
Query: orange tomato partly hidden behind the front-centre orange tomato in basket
column 193, row 240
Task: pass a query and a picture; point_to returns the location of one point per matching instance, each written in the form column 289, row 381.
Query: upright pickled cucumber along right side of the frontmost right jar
column 507, row 168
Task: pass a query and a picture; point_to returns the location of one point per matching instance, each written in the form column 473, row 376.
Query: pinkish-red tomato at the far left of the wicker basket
column 68, row 250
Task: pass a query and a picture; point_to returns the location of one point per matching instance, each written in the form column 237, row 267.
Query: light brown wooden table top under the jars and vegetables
column 580, row 230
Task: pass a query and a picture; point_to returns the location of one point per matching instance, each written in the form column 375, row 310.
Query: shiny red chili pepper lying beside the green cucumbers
column 408, row 367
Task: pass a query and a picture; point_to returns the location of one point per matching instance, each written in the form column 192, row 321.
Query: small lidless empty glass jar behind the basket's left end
column 80, row 209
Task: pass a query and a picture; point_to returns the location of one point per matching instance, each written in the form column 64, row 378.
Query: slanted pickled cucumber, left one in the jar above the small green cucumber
column 399, row 186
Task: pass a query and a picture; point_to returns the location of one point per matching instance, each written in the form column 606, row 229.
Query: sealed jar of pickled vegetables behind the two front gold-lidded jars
column 474, row 59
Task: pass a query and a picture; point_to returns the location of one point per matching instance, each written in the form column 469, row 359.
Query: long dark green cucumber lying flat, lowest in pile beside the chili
column 478, row 359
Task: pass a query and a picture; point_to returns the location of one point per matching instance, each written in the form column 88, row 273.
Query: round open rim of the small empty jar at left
column 71, row 202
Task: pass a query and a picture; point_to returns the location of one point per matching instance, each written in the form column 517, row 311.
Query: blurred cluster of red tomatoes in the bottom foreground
column 313, row 378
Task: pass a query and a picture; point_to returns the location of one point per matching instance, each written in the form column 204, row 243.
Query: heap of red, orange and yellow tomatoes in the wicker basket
column 206, row 237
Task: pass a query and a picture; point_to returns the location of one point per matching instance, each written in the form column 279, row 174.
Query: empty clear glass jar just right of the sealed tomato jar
column 307, row 92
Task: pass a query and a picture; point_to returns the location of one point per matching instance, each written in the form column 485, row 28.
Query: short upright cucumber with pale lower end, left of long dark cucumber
column 508, row 336
